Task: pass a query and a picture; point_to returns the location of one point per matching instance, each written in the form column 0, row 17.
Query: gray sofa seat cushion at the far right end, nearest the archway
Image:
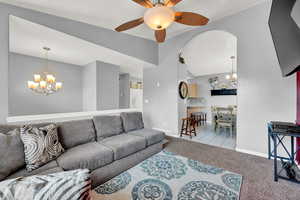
column 151, row 136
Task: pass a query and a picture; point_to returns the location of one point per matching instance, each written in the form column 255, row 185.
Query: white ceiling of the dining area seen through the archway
column 210, row 52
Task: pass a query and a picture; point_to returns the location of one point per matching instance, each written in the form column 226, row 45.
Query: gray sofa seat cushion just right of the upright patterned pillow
column 86, row 156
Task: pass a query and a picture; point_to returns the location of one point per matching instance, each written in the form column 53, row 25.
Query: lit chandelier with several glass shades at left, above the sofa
column 45, row 82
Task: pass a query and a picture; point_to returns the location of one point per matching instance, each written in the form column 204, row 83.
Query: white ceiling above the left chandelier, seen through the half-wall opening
column 29, row 38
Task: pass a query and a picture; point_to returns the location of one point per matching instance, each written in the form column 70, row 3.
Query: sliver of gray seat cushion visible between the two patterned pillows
column 45, row 169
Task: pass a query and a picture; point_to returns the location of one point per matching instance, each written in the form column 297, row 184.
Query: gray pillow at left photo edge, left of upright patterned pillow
column 11, row 153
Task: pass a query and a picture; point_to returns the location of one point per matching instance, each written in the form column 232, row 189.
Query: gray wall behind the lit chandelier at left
column 22, row 101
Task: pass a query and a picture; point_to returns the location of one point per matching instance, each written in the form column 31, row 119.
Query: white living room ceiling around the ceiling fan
column 112, row 13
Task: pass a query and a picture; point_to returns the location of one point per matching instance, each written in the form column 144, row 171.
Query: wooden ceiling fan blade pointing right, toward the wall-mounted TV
column 191, row 19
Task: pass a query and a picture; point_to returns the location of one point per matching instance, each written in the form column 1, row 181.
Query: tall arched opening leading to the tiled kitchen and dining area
column 210, row 59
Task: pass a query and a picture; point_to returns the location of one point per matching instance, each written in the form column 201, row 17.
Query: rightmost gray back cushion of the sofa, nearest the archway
column 132, row 121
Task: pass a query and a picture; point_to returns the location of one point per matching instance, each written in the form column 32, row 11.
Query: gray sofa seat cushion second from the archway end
column 124, row 145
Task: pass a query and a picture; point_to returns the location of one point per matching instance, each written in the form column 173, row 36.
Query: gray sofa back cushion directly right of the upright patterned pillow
column 73, row 133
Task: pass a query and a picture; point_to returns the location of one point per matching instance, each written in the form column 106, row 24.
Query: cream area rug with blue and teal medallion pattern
column 167, row 176
